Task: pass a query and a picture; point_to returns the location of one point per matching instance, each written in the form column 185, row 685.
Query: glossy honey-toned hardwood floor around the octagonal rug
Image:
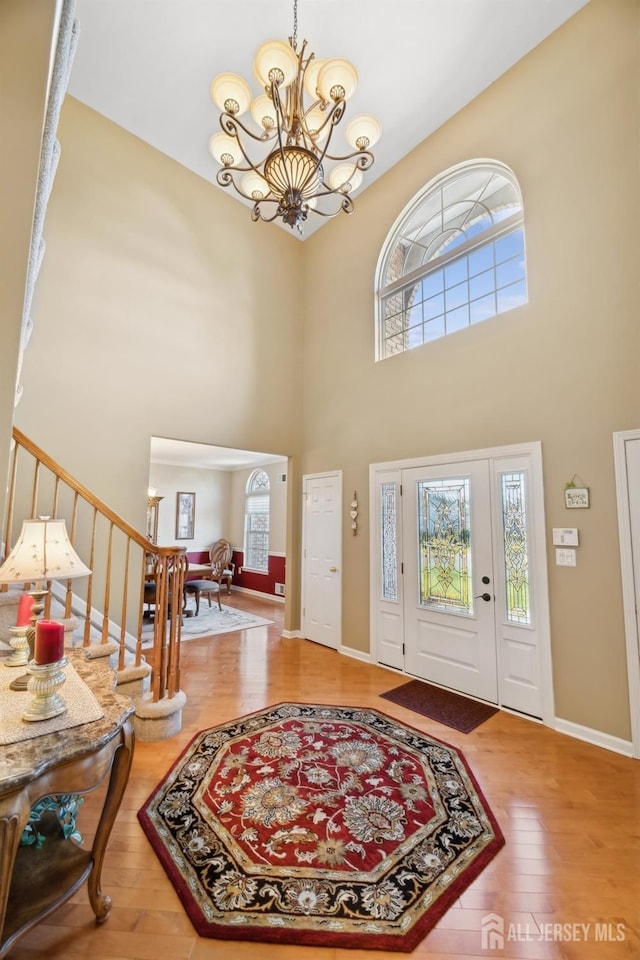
column 568, row 876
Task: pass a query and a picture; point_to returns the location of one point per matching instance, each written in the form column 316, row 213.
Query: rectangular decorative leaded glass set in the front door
column 444, row 538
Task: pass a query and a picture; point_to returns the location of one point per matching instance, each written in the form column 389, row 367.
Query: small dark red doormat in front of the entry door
column 455, row 711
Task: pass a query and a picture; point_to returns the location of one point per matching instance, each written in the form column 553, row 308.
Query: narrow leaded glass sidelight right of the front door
column 516, row 561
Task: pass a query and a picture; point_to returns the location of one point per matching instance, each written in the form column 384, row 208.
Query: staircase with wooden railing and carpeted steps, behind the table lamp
column 103, row 612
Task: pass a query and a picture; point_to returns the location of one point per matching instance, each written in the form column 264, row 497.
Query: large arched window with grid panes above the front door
column 454, row 257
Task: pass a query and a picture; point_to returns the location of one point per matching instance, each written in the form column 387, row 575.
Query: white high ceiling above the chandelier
column 148, row 64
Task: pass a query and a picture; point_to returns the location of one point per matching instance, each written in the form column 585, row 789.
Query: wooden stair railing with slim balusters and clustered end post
column 39, row 486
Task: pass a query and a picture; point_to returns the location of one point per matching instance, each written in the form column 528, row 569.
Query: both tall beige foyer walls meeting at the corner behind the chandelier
column 160, row 302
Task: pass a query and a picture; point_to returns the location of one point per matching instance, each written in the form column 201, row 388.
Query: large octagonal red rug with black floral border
column 319, row 825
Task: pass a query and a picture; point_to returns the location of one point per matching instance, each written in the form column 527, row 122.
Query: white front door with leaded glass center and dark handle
column 449, row 600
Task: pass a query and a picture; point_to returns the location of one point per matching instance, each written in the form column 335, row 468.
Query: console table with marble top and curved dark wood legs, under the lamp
column 33, row 882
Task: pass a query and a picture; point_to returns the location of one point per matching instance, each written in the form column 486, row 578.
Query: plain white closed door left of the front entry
column 322, row 559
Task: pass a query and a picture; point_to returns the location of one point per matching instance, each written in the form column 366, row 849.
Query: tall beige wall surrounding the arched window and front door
column 562, row 370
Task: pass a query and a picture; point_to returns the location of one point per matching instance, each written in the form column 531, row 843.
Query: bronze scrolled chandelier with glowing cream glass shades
column 284, row 165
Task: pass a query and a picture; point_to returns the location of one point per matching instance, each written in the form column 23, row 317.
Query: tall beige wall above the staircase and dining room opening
column 168, row 313
